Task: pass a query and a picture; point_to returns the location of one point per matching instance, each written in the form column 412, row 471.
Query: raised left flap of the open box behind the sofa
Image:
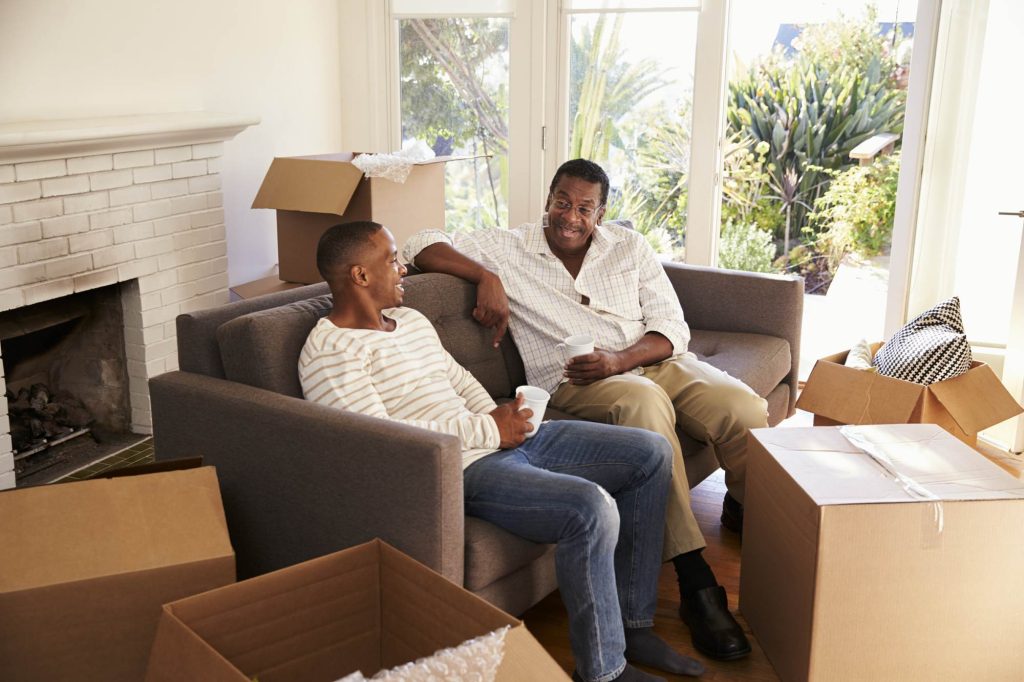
column 319, row 185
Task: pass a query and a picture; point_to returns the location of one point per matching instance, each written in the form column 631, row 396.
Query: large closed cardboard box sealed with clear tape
column 904, row 567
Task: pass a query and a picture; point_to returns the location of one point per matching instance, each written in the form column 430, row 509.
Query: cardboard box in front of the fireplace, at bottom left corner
column 86, row 569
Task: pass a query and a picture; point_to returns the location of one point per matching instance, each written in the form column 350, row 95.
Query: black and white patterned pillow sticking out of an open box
column 931, row 348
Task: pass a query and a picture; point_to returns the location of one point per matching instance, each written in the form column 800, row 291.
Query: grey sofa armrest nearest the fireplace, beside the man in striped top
column 301, row 480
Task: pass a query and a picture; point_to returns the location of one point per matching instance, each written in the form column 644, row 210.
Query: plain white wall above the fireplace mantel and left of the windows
column 276, row 60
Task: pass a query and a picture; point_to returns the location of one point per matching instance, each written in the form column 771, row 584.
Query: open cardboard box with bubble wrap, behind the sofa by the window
column 313, row 194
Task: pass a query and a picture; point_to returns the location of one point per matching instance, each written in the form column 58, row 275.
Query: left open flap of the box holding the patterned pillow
column 857, row 397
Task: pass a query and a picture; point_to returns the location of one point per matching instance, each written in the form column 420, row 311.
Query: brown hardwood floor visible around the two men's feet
column 548, row 622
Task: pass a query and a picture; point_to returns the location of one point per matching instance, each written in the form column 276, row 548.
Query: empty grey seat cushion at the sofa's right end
column 759, row 361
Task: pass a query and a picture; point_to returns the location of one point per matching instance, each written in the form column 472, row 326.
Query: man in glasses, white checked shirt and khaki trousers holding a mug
column 569, row 275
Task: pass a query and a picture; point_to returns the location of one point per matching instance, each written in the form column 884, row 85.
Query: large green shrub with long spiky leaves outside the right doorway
column 813, row 109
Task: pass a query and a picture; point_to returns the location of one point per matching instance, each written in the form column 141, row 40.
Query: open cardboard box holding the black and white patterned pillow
column 964, row 406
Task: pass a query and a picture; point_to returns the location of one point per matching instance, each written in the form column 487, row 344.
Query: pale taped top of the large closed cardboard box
column 835, row 472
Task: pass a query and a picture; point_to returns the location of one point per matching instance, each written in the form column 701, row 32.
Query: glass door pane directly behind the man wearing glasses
column 627, row 105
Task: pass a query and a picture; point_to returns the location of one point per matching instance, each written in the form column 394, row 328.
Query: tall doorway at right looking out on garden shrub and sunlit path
column 816, row 104
